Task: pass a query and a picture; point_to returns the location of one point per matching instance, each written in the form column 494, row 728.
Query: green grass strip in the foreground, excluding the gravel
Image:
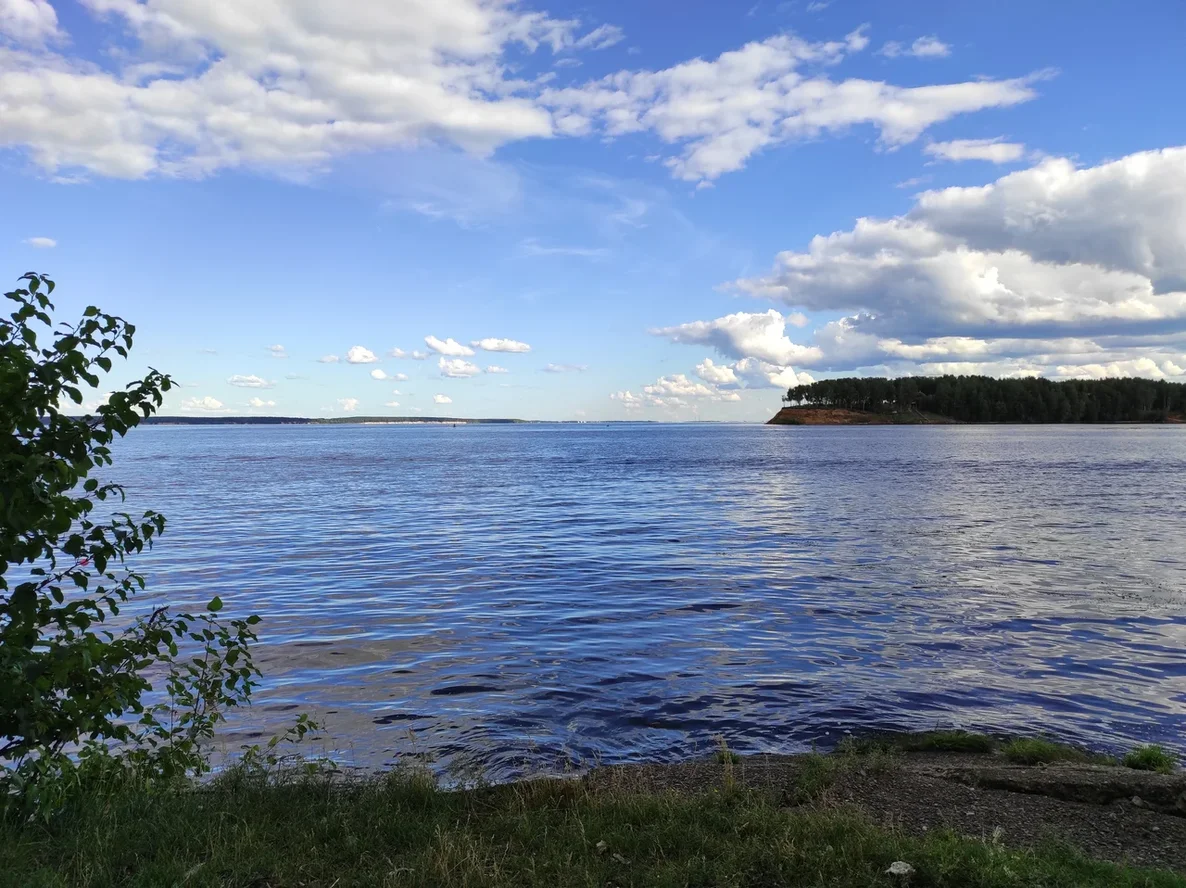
column 401, row 830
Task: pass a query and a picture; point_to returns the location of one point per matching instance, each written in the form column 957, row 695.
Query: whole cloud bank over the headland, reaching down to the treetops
column 1045, row 269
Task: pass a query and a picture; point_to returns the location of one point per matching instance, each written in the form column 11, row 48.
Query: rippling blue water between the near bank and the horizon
column 524, row 596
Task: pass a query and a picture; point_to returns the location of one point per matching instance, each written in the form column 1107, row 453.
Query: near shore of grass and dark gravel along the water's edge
column 936, row 809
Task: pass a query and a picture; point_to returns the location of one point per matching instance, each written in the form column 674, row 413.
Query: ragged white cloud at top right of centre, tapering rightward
column 724, row 111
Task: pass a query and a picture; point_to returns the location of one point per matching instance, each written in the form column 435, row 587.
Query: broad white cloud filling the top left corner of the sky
column 209, row 85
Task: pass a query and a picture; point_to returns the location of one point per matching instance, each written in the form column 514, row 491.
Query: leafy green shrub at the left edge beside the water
column 75, row 694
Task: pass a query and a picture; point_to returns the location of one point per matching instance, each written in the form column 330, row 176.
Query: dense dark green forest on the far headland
column 983, row 399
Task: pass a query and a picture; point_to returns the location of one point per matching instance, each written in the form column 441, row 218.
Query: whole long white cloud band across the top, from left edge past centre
column 188, row 90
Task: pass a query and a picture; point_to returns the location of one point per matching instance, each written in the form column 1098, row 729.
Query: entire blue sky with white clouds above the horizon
column 598, row 212
